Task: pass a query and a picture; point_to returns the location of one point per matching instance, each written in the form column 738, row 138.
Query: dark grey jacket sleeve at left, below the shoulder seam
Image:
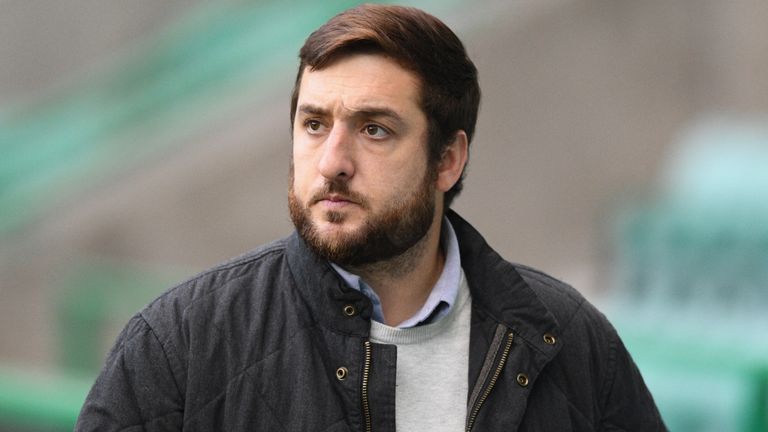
column 136, row 390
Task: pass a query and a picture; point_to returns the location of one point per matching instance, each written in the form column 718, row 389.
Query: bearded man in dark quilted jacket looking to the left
column 384, row 310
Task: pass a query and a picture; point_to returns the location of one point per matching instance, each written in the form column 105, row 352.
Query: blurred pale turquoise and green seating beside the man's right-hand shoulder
column 692, row 286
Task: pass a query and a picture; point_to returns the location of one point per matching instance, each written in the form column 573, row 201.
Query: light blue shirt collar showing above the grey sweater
column 443, row 294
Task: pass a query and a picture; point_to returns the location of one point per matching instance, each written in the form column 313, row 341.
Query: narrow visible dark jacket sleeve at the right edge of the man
column 627, row 403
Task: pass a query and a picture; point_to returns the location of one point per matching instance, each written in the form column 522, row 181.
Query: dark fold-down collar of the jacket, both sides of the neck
column 496, row 287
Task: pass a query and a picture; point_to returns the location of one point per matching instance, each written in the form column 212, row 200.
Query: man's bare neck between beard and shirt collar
column 403, row 283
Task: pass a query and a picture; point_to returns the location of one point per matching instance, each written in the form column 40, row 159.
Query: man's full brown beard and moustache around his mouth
column 401, row 224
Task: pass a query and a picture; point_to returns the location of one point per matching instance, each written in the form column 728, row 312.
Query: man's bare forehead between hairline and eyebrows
column 360, row 81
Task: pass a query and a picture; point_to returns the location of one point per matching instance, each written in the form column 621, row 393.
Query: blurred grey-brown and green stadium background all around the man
column 622, row 146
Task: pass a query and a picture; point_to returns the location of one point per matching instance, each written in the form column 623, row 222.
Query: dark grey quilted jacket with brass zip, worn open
column 275, row 341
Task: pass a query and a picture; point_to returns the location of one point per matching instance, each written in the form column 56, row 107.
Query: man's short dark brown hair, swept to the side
column 419, row 42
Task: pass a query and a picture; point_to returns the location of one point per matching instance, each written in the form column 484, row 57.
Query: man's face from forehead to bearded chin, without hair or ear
column 360, row 188
